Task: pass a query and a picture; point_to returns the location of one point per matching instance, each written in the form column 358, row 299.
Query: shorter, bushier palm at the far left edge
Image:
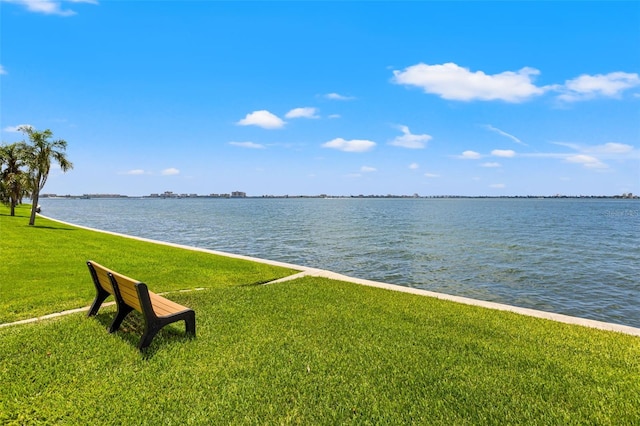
column 13, row 180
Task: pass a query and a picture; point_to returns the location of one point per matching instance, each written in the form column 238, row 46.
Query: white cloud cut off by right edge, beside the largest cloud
column 587, row 87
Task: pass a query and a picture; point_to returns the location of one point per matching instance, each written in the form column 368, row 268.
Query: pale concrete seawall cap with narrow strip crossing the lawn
column 315, row 272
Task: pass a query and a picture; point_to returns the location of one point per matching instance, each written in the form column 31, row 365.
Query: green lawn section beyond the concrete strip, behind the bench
column 44, row 269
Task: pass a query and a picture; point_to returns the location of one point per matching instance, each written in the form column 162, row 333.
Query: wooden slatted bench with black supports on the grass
column 131, row 294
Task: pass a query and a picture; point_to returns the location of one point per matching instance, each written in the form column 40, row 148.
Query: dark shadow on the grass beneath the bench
column 132, row 328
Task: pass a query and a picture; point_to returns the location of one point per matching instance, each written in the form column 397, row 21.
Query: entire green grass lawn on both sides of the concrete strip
column 309, row 351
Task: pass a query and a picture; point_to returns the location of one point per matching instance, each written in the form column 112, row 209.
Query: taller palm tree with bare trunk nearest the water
column 39, row 153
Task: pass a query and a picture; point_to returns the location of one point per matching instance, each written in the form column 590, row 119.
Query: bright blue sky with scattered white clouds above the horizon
column 340, row 98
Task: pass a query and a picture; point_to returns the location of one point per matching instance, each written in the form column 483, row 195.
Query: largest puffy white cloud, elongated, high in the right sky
column 453, row 82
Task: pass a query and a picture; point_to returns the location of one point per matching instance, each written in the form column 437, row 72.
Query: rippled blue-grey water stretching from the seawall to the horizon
column 578, row 257
